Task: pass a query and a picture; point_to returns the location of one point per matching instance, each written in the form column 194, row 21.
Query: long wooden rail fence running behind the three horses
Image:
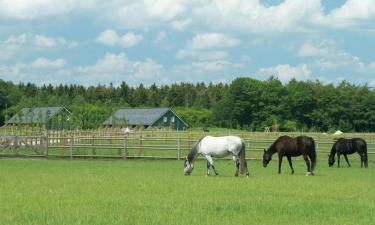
column 122, row 146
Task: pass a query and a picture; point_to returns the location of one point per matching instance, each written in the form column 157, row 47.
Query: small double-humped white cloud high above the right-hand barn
column 111, row 38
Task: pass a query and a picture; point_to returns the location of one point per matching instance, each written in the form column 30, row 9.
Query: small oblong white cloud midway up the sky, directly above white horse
column 213, row 40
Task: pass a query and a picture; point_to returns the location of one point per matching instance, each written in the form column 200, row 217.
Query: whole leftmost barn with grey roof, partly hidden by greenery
column 56, row 118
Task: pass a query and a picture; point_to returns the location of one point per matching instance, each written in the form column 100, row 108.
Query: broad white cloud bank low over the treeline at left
column 111, row 68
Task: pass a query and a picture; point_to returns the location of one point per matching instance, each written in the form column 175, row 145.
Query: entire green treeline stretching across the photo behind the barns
column 246, row 103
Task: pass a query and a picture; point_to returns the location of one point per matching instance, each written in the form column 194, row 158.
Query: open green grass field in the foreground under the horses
column 39, row 191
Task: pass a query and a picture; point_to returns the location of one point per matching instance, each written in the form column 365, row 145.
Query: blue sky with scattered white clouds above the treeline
column 164, row 41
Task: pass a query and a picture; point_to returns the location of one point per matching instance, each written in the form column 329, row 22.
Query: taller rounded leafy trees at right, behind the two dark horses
column 254, row 104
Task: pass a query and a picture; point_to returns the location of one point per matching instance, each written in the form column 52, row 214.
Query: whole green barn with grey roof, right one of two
column 146, row 117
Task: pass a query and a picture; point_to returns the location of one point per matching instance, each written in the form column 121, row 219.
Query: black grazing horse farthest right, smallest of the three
column 346, row 147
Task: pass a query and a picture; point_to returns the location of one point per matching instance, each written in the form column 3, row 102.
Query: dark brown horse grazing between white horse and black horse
column 292, row 147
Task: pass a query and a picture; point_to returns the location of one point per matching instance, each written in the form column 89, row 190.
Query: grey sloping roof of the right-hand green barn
column 136, row 116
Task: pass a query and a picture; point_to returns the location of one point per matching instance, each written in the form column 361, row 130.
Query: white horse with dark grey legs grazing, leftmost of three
column 218, row 147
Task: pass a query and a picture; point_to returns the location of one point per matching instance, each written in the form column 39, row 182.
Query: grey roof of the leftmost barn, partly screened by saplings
column 35, row 115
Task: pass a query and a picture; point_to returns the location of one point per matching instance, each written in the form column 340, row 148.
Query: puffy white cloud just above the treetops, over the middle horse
column 286, row 72
